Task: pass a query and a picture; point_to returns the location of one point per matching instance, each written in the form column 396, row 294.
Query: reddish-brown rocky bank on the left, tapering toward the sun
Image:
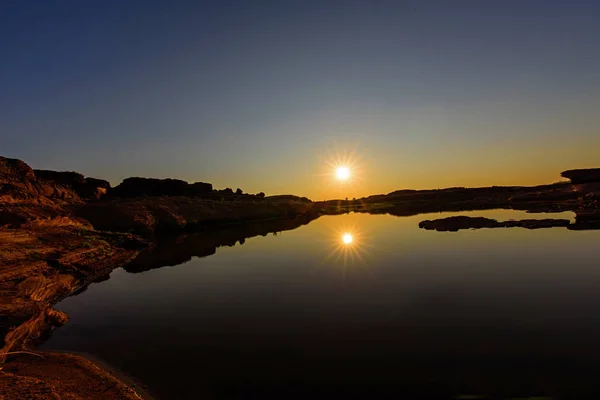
column 60, row 231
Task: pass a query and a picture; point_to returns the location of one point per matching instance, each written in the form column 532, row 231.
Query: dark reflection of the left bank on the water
column 175, row 251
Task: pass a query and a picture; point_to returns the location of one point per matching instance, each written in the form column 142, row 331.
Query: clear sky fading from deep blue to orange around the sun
column 262, row 94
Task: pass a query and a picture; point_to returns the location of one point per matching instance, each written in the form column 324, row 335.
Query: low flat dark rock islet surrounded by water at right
column 453, row 224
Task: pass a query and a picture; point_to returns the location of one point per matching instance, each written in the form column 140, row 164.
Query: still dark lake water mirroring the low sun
column 397, row 313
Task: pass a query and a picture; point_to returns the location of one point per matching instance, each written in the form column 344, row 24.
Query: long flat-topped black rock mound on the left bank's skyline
column 138, row 187
